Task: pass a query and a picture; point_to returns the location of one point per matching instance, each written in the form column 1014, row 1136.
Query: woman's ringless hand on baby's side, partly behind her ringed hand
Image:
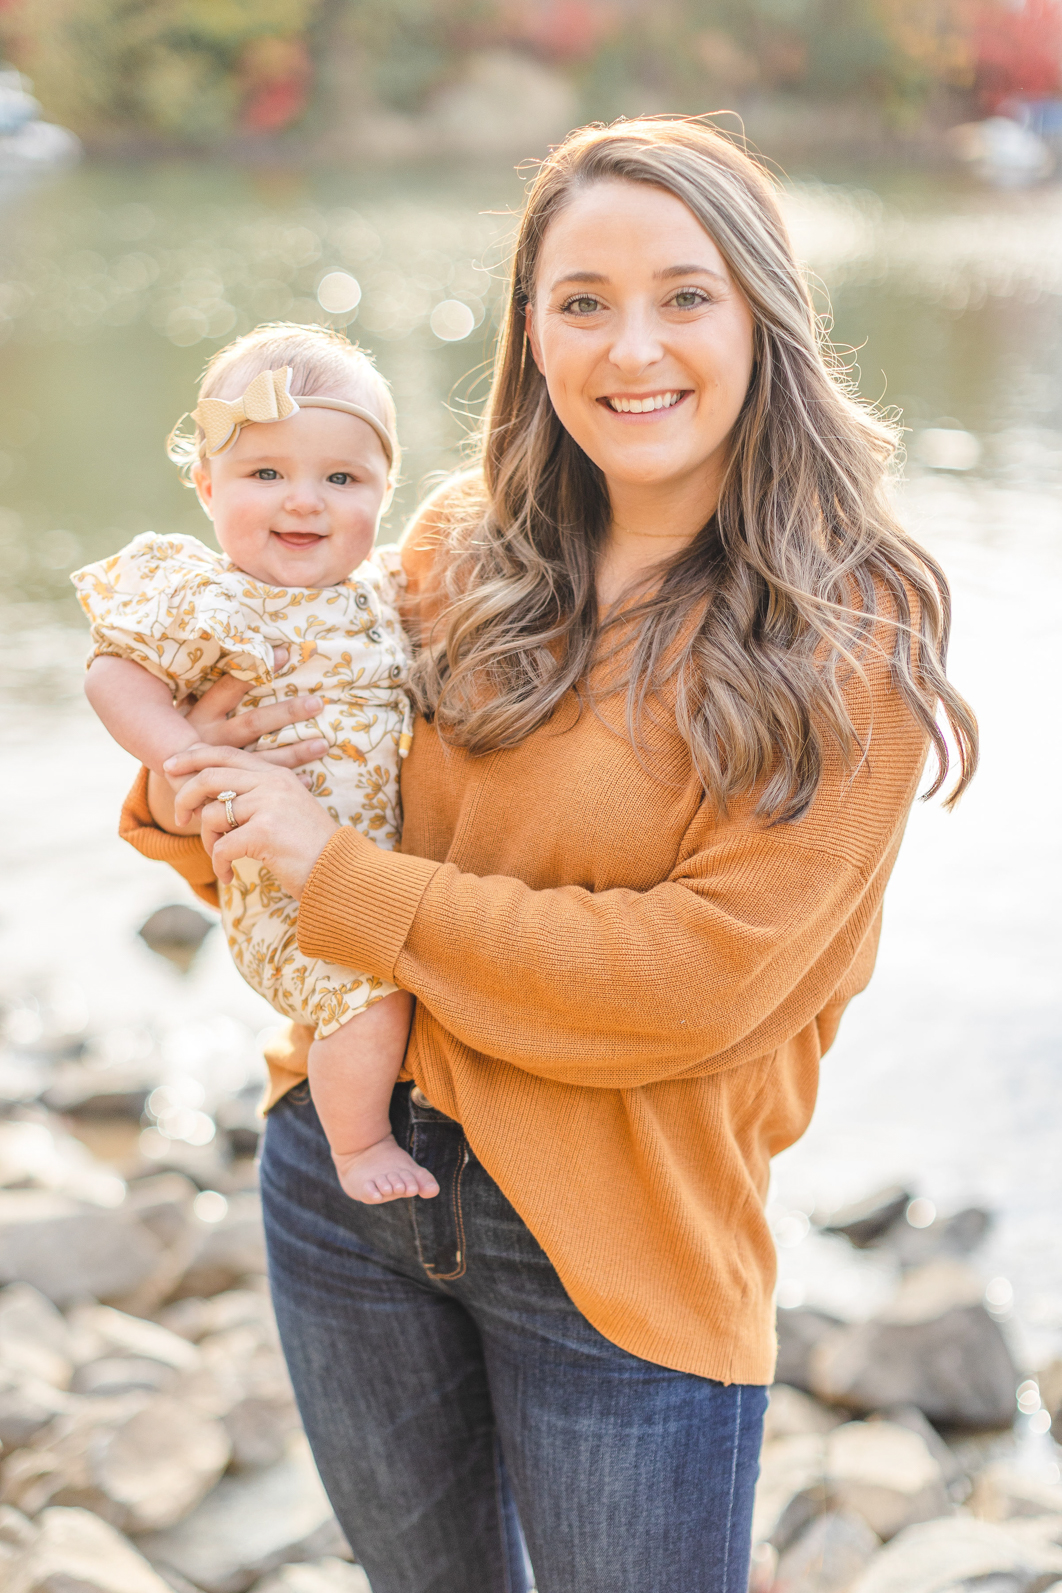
column 209, row 718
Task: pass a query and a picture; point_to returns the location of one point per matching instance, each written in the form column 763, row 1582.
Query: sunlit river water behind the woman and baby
column 115, row 284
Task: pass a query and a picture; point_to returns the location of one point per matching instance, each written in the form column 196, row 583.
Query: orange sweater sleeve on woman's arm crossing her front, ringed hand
column 757, row 931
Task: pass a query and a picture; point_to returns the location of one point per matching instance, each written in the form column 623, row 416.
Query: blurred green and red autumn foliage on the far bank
column 208, row 71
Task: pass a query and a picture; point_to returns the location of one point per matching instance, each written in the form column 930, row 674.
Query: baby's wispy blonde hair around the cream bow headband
column 324, row 364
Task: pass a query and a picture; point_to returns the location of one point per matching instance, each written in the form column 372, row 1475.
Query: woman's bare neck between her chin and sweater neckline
column 649, row 526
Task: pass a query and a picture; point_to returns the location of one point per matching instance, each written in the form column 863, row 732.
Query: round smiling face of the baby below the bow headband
column 297, row 503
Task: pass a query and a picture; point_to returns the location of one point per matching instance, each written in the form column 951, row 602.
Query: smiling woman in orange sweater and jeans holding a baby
column 679, row 670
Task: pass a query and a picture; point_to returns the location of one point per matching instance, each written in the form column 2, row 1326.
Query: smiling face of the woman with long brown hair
column 642, row 335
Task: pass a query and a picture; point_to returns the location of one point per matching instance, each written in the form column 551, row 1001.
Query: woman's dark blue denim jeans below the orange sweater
column 453, row 1395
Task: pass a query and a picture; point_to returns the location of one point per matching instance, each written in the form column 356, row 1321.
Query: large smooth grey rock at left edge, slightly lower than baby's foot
column 71, row 1251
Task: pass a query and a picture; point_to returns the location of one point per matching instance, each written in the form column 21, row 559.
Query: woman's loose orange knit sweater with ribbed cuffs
column 622, row 996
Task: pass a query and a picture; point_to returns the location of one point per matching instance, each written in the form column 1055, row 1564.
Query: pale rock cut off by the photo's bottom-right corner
column 937, row 1556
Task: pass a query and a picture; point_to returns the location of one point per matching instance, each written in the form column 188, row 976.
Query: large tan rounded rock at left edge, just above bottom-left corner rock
column 141, row 1462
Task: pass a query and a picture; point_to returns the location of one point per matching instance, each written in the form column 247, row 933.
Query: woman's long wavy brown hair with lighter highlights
column 759, row 630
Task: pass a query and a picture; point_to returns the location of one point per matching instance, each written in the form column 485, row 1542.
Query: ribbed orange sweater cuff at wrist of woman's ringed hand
column 359, row 904
